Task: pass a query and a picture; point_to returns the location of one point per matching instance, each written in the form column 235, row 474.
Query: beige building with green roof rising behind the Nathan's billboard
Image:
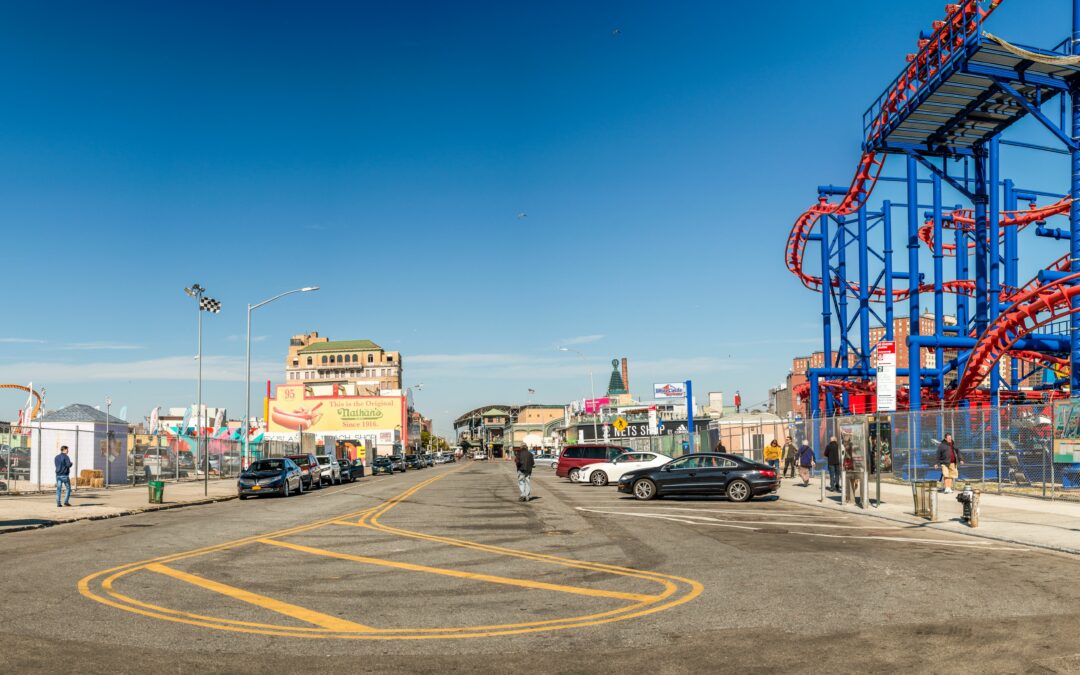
column 317, row 360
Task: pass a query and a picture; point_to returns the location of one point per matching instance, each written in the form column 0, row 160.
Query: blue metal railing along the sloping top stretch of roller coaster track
column 937, row 60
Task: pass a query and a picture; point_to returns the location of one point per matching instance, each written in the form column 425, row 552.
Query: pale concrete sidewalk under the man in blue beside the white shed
column 31, row 512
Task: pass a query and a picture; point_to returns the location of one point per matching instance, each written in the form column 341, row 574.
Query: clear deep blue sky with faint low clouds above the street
column 385, row 152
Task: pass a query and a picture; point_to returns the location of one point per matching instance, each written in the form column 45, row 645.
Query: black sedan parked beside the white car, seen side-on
column 708, row 474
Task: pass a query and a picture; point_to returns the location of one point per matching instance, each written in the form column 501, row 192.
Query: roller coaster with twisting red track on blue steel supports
column 948, row 115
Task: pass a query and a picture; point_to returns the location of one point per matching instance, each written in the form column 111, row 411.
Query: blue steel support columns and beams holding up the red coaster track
column 973, row 169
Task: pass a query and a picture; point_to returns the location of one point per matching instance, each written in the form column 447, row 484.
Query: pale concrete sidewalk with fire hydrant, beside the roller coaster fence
column 1037, row 523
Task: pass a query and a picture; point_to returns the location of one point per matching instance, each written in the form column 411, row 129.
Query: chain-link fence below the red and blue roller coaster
column 1005, row 450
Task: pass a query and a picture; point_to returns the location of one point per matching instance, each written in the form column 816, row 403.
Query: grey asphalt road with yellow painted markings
column 443, row 571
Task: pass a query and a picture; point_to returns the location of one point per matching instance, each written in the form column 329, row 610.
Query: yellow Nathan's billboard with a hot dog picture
column 292, row 410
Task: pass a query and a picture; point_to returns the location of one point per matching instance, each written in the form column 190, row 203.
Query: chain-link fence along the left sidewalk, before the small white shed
column 102, row 456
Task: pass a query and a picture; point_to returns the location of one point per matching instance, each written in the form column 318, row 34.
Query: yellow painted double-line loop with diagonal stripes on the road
column 101, row 586
